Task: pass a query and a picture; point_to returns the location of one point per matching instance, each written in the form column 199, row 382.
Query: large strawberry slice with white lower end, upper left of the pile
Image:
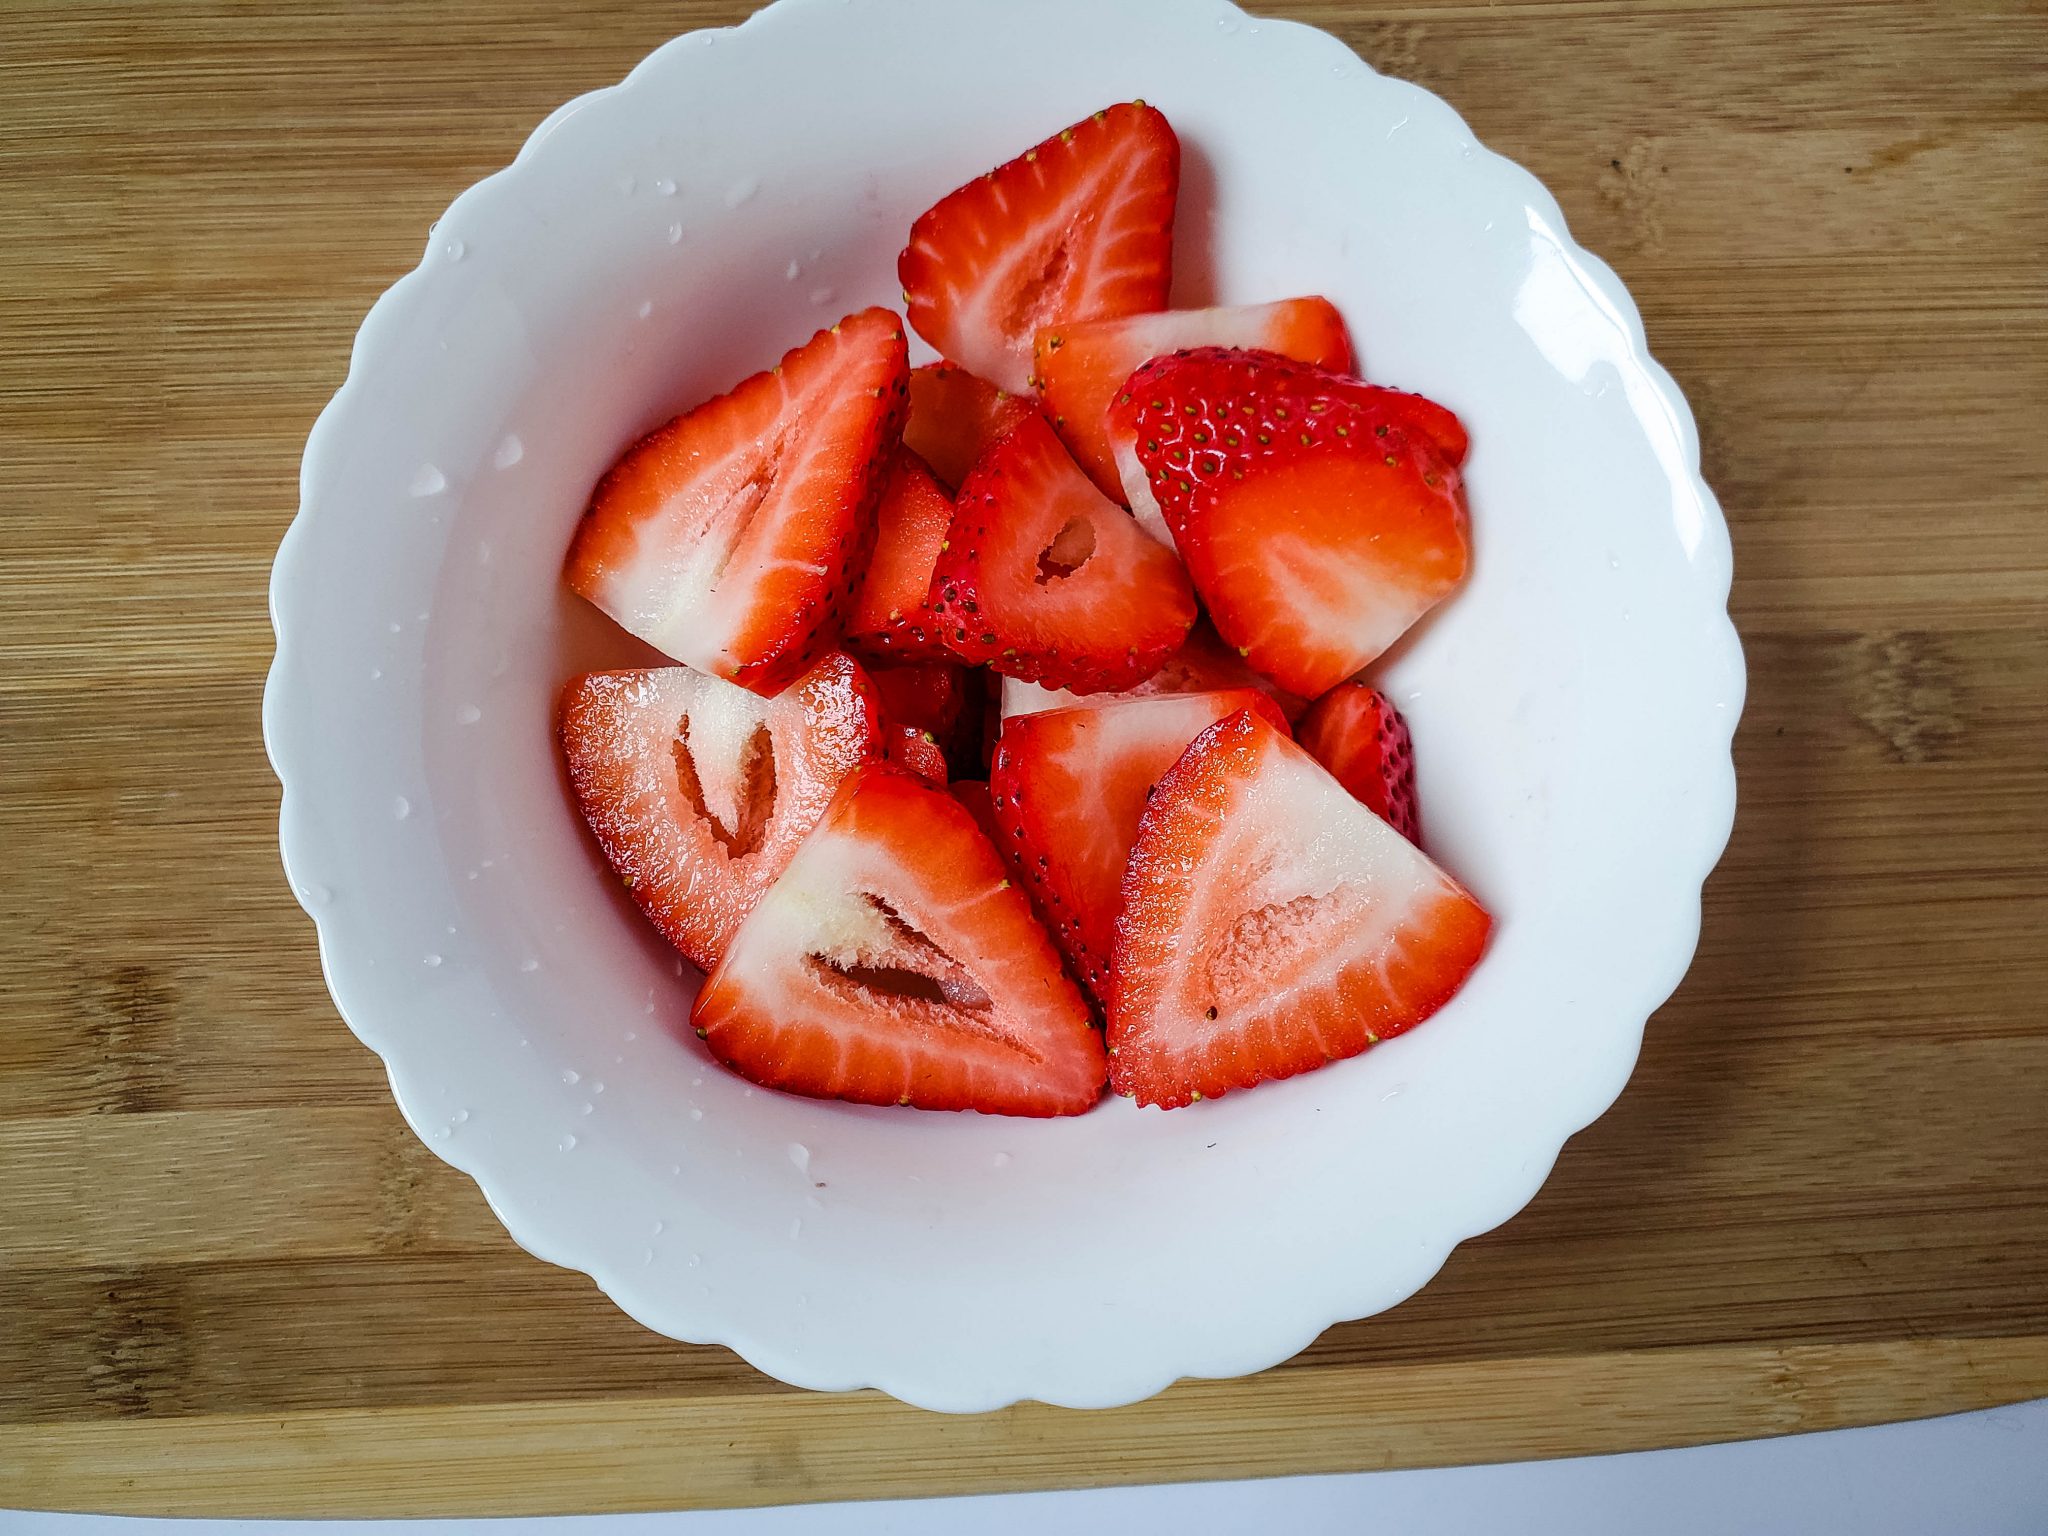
column 730, row 538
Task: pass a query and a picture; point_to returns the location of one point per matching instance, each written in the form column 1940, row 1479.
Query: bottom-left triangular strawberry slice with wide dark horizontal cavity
column 896, row 964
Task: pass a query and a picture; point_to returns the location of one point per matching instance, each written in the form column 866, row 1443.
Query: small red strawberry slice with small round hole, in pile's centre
column 1048, row 581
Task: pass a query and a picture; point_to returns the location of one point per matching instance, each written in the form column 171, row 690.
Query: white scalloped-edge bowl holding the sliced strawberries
column 658, row 241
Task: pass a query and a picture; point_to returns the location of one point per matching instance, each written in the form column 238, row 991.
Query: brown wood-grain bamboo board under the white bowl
column 230, row 1279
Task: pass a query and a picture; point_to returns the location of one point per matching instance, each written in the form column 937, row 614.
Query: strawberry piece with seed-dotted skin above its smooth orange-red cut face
column 1316, row 519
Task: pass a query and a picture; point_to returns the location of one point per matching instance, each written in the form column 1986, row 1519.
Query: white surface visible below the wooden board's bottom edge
column 1967, row 1476
